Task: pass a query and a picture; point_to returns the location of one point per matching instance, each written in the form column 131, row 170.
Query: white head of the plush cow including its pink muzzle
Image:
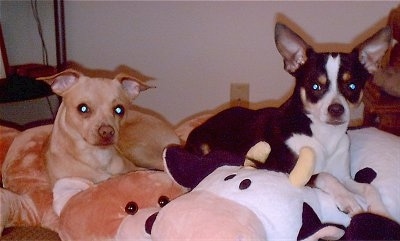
column 237, row 203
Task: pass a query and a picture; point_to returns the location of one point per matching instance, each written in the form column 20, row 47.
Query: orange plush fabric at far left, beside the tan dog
column 28, row 198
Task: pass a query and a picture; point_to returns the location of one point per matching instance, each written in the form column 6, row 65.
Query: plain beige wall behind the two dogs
column 195, row 50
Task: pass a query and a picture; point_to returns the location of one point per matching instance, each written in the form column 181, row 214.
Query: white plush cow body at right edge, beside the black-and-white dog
column 379, row 150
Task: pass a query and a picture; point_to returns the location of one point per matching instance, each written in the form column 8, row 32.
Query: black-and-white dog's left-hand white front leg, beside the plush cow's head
column 345, row 200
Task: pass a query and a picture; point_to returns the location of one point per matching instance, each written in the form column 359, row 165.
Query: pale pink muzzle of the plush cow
column 205, row 216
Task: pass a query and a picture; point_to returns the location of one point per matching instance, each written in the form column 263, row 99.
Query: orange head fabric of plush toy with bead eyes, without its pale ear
column 97, row 212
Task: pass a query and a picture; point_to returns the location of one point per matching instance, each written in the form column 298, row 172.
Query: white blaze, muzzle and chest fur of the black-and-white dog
column 329, row 142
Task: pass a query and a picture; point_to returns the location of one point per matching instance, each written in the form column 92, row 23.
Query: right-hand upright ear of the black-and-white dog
column 374, row 48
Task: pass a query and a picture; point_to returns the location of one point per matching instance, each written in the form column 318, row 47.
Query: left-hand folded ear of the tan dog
column 62, row 81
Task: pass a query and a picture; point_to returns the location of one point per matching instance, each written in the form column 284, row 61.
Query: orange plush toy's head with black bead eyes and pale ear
column 99, row 211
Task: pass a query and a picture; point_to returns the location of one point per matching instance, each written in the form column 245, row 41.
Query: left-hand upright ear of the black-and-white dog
column 291, row 46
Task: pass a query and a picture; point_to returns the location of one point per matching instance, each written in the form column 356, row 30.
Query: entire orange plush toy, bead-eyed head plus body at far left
column 100, row 207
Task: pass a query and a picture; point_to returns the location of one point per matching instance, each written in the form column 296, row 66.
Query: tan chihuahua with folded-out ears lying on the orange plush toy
column 90, row 121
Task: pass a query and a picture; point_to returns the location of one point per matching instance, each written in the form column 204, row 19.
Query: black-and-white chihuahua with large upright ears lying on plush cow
column 316, row 115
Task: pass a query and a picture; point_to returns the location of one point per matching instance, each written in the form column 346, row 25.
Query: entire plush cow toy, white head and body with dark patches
column 271, row 202
